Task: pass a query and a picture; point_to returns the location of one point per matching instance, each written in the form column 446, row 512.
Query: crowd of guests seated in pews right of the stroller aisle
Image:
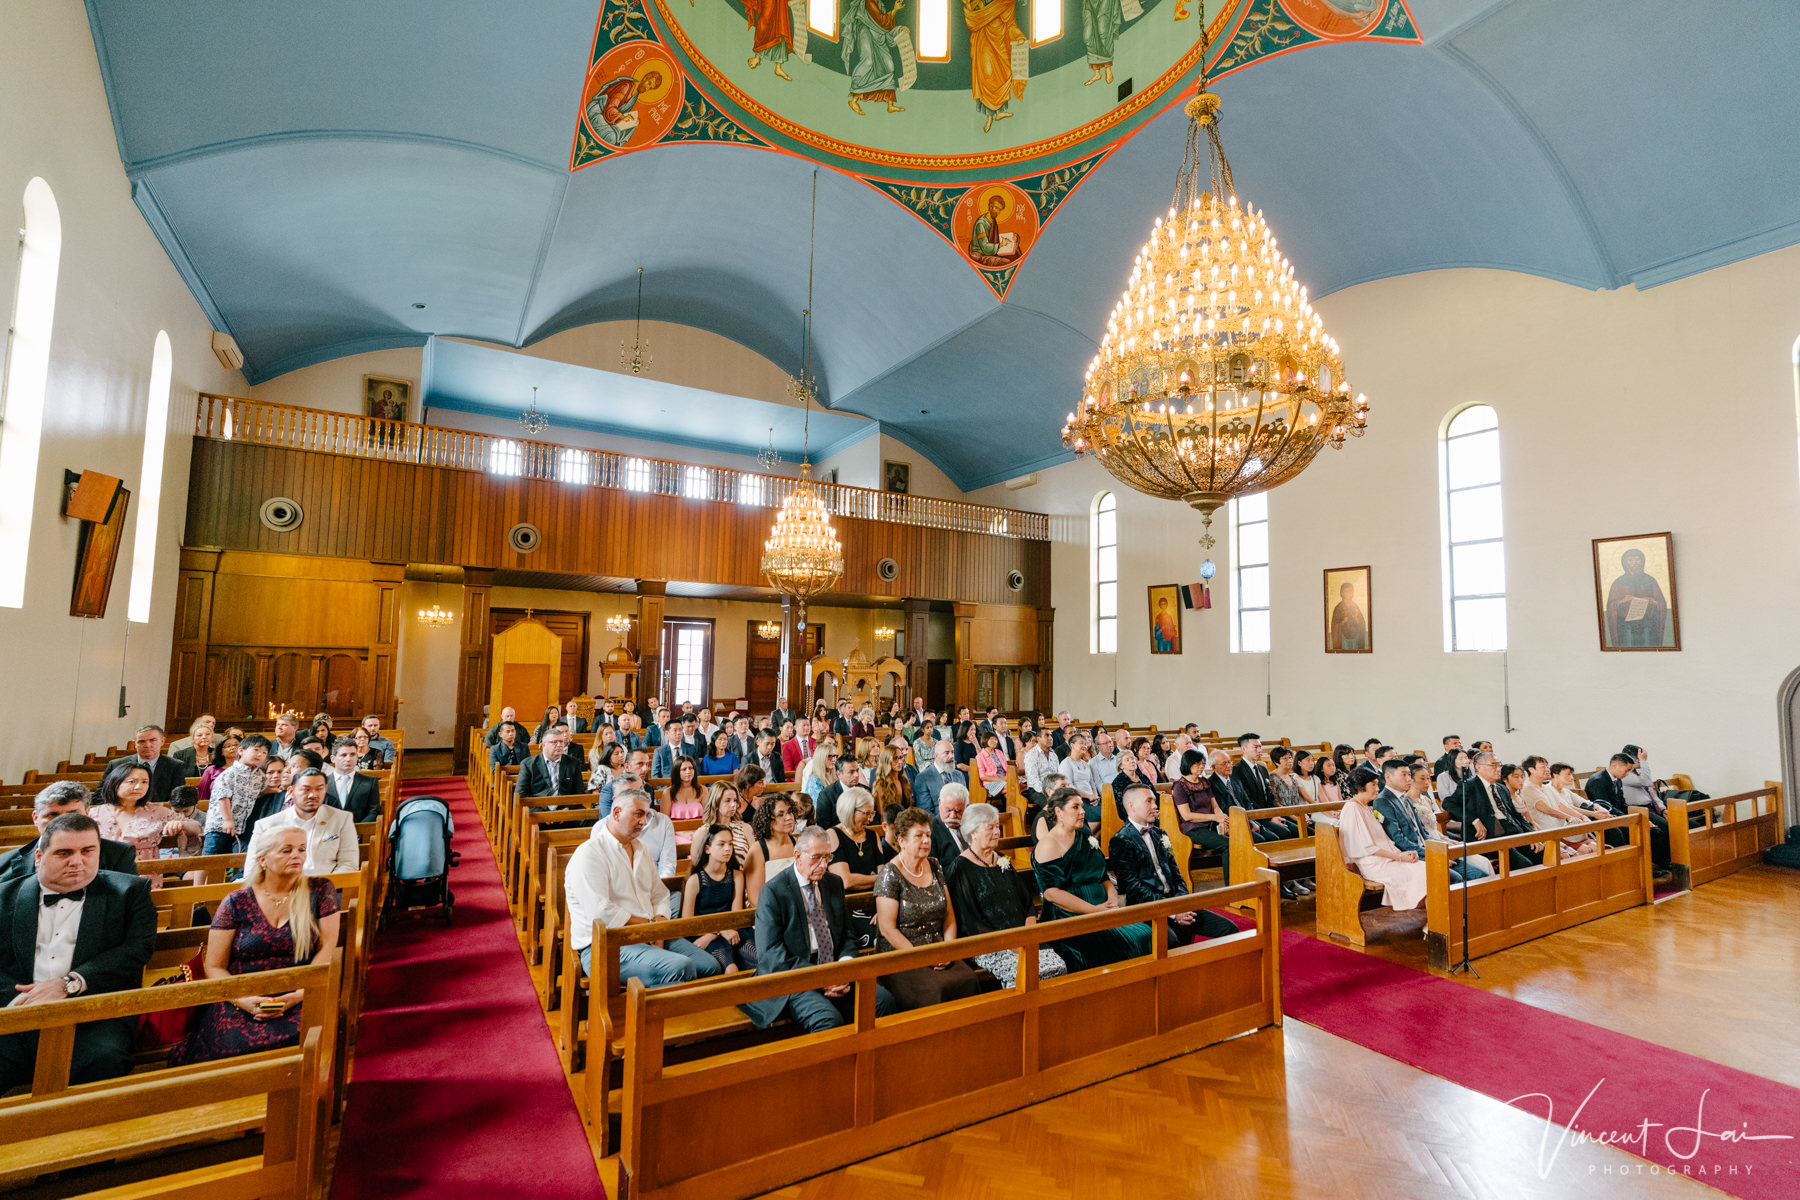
column 881, row 809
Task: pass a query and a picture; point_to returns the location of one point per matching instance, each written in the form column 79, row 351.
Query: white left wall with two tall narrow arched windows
column 116, row 291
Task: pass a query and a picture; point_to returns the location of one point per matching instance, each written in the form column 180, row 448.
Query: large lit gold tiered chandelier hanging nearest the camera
column 1214, row 379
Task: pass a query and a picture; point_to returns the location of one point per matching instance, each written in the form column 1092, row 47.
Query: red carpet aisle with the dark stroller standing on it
column 458, row 1093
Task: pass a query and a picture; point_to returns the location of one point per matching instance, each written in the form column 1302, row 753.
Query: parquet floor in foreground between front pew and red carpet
column 1282, row 1113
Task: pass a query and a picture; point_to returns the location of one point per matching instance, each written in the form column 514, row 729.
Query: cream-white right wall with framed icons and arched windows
column 1621, row 413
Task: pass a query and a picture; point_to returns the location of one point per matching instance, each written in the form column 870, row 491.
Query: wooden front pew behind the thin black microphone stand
column 1518, row 906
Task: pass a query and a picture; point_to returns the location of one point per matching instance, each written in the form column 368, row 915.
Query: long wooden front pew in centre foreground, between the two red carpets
column 964, row 1062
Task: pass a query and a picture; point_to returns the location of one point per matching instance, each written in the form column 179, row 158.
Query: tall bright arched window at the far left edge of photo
column 22, row 382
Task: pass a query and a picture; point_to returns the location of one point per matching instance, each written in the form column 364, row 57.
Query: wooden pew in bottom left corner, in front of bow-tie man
column 280, row 1093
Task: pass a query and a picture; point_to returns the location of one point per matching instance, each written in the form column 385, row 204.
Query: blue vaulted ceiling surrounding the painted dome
column 316, row 170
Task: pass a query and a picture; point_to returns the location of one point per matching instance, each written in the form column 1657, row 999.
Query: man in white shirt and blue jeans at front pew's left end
column 615, row 881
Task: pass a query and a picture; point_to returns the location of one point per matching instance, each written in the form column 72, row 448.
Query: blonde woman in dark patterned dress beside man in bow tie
column 280, row 918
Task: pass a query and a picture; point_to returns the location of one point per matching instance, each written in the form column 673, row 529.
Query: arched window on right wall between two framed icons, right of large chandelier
column 1475, row 555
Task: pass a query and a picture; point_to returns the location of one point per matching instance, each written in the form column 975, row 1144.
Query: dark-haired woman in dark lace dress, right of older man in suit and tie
column 913, row 909
